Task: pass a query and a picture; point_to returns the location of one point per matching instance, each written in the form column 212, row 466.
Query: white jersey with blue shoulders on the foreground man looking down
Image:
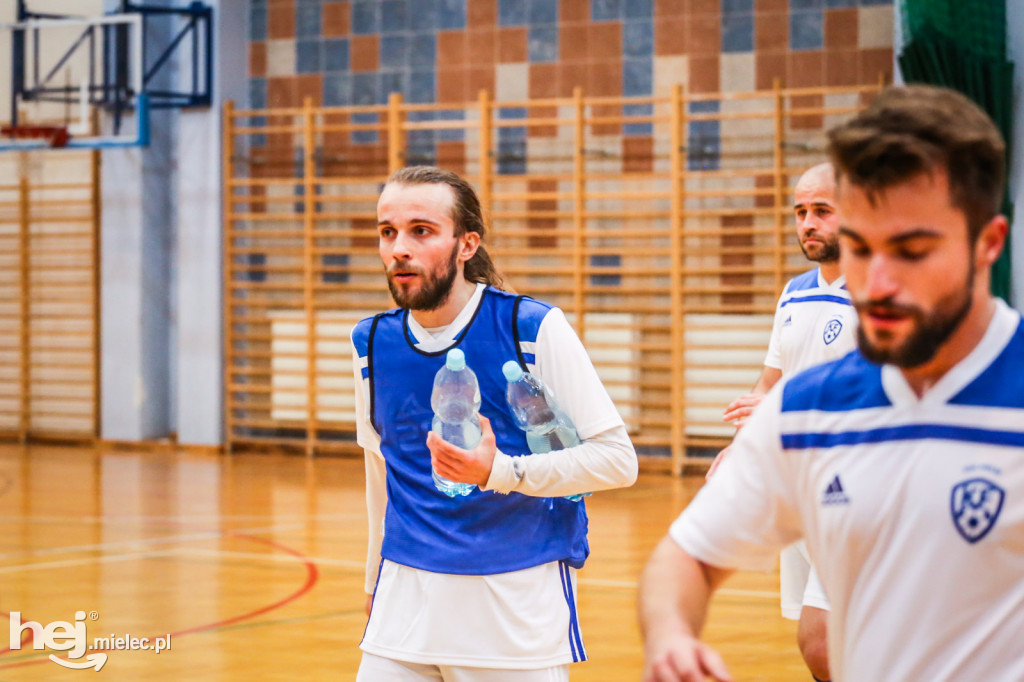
column 913, row 509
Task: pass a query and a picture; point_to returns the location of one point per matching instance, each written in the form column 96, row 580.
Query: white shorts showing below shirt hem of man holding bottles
column 375, row 669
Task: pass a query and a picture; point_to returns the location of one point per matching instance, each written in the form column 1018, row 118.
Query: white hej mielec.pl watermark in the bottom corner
column 72, row 637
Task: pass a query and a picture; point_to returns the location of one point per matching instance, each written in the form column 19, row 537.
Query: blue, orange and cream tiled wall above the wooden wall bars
column 357, row 52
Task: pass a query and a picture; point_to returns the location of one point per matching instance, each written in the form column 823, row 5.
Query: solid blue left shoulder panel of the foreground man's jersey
column 849, row 383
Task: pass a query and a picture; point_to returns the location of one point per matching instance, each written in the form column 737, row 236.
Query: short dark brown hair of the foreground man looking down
column 917, row 130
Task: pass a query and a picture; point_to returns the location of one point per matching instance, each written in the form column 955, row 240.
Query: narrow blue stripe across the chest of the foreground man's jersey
column 905, row 433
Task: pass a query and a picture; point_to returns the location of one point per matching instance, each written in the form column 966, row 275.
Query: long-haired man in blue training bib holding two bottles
column 479, row 588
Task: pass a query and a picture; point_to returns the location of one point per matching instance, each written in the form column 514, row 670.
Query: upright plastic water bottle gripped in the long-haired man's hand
column 456, row 400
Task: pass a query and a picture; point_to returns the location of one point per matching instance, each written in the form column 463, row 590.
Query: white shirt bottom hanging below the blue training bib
column 522, row 620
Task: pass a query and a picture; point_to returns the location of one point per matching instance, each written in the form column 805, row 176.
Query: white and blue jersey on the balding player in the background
column 816, row 322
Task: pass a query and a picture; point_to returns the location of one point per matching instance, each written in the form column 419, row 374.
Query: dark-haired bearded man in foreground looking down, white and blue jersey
column 900, row 464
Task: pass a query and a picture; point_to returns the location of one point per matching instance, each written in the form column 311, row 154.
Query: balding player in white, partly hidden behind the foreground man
column 815, row 323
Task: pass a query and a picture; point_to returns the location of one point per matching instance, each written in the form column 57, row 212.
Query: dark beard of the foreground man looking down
column 930, row 330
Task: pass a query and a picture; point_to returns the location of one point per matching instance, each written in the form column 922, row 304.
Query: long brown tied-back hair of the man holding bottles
column 466, row 215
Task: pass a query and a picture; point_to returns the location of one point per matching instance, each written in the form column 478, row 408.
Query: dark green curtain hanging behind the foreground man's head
column 962, row 46
